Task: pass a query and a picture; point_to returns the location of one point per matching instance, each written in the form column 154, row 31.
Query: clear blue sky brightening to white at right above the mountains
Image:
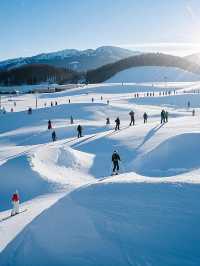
column 30, row 27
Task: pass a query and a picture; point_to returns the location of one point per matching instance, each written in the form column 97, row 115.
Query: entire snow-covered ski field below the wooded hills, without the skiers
column 75, row 213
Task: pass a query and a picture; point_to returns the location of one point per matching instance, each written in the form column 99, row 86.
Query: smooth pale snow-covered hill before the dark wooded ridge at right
column 153, row 74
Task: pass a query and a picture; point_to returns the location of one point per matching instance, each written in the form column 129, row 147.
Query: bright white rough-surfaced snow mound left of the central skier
column 62, row 164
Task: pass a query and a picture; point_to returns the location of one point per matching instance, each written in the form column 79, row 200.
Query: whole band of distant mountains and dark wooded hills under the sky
column 110, row 59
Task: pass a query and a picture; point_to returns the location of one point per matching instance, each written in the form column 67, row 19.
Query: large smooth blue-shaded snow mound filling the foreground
column 114, row 224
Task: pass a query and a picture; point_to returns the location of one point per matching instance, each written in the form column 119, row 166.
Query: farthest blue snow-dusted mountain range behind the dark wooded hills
column 72, row 59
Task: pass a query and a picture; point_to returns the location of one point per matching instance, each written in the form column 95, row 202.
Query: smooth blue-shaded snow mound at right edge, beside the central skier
column 174, row 156
